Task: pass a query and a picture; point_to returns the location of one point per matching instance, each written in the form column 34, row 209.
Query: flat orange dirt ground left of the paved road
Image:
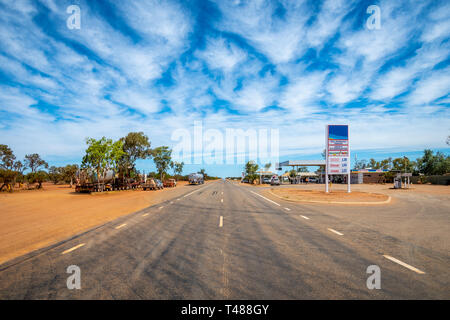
column 31, row 220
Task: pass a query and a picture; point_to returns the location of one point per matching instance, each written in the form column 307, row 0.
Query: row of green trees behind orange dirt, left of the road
column 101, row 156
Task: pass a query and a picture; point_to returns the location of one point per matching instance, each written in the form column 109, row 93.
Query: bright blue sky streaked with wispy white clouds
column 157, row 66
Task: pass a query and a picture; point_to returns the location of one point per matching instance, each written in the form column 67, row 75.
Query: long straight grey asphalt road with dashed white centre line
column 226, row 241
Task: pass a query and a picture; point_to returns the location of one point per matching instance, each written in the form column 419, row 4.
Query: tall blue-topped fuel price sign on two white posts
column 337, row 153
